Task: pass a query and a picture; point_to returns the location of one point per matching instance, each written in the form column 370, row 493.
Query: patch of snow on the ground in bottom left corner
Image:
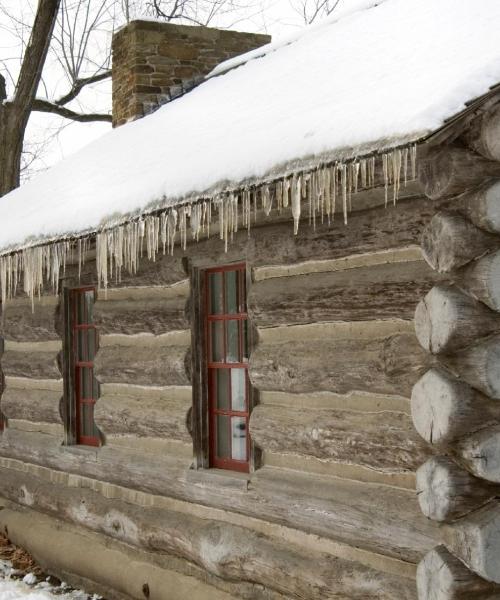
column 28, row 588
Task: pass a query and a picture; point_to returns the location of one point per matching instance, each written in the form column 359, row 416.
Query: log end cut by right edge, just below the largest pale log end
column 480, row 453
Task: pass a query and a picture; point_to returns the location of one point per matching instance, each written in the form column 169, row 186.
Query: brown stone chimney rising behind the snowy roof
column 155, row 62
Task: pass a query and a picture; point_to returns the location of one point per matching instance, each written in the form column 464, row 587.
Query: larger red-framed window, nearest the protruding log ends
column 226, row 324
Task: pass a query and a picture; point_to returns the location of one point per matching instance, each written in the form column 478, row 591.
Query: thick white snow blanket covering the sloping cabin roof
column 377, row 76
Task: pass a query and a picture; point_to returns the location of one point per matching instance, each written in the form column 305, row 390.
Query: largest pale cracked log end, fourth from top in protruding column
column 445, row 409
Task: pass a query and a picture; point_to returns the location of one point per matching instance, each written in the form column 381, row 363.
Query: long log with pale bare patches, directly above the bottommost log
column 231, row 552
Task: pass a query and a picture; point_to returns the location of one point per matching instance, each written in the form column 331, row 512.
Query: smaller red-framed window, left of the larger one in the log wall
column 83, row 344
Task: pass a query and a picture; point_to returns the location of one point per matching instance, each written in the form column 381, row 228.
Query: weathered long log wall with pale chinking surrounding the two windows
column 334, row 360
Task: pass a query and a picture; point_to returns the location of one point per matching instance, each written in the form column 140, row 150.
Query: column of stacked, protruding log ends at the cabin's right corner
column 455, row 403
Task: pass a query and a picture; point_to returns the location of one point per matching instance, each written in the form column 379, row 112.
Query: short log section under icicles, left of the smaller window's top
column 23, row 322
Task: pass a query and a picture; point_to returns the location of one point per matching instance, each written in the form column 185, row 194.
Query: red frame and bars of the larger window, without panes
column 213, row 366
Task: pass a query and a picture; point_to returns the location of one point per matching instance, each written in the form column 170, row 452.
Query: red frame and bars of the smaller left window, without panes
column 83, row 368
